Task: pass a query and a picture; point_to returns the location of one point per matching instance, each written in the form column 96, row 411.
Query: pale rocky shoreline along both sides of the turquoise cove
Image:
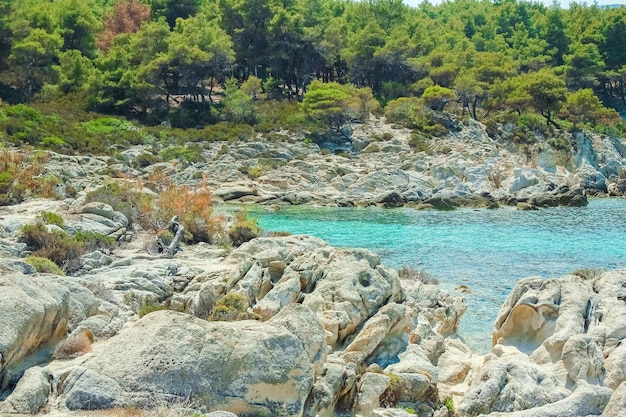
column 297, row 327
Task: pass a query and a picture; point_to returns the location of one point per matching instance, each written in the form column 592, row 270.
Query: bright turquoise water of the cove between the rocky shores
column 487, row 250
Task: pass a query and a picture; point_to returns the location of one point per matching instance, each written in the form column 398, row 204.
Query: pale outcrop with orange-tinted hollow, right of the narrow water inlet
column 558, row 349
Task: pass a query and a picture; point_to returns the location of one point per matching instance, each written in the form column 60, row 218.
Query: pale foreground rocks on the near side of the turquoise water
column 326, row 331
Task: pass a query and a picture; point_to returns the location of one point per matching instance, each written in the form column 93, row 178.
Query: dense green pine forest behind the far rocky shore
column 232, row 67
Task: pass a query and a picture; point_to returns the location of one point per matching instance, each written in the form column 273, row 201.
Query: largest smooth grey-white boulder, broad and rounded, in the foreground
column 242, row 367
